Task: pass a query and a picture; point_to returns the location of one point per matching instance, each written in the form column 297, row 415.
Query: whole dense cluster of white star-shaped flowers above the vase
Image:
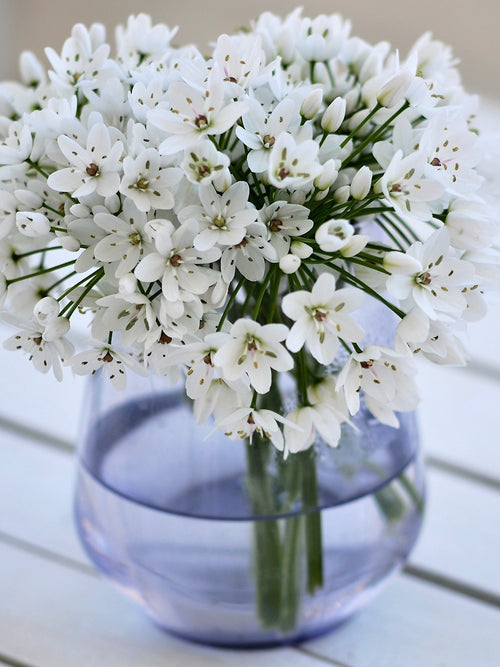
column 227, row 216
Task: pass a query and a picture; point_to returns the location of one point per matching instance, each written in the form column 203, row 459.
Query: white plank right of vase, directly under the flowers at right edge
column 459, row 418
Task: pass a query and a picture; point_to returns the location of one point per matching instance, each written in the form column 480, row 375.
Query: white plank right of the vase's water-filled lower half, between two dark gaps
column 460, row 538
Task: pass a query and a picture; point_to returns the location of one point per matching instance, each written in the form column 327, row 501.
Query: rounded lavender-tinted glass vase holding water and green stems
column 224, row 542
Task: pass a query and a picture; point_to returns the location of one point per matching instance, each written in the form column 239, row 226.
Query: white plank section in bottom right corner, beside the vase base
column 414, row 624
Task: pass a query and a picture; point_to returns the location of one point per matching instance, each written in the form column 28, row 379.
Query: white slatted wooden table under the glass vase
column 443, row 610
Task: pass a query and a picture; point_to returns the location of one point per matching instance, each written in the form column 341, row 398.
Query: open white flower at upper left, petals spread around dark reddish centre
column 96, row 168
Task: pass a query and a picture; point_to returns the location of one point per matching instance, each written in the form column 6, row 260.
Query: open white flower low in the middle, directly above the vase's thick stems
column 254, row 349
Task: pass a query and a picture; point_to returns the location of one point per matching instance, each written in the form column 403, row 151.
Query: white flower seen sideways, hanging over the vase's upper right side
column 386, row 379
